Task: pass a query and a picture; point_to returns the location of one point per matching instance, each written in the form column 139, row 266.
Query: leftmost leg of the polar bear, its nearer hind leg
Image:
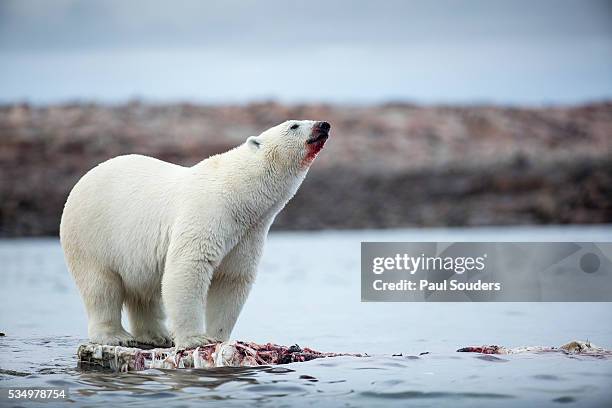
column 102, row 293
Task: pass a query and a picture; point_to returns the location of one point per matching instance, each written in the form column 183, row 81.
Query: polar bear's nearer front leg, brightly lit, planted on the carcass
column 185, row 284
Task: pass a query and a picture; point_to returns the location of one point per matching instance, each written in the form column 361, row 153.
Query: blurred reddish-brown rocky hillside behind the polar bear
column 385, row 166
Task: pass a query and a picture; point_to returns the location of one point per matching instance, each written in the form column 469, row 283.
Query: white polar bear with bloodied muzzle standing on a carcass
column 182, row 242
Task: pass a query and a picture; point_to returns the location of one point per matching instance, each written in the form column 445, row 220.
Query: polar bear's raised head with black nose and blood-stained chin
column 294, row 143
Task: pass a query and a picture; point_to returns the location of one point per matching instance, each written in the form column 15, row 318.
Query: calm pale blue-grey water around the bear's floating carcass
column 308, row 293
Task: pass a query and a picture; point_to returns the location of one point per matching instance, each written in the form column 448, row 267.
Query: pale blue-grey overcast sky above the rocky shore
column 511, row 52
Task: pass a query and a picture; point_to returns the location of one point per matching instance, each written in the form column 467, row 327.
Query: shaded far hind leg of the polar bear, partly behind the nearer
column 147, row 322
